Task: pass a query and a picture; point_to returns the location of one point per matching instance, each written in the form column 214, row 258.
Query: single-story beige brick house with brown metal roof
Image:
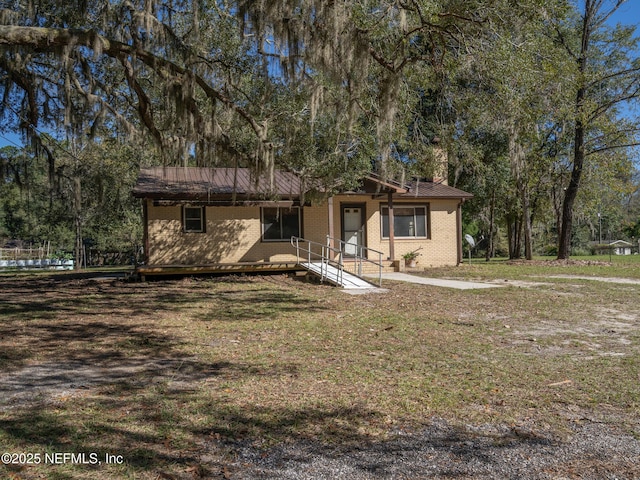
column 225, row 216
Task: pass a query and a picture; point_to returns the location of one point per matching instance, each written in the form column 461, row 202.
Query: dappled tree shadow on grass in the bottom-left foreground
column 154, row 425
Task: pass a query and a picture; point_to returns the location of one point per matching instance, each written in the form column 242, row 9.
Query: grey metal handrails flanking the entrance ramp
column 327, row 253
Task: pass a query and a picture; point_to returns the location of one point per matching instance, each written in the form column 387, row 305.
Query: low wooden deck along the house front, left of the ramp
column 144, row 271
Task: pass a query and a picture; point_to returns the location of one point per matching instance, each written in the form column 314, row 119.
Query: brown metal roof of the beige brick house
column 220, row 185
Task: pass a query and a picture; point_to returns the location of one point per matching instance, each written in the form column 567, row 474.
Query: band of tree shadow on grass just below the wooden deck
column 57, row 297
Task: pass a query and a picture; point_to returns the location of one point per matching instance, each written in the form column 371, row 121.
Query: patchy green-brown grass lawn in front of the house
column 164, row 376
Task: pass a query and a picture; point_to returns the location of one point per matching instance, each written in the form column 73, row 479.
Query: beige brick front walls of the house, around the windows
column 233, row 234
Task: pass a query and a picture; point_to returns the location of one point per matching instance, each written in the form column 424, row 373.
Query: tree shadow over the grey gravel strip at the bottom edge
column 439, row 450
